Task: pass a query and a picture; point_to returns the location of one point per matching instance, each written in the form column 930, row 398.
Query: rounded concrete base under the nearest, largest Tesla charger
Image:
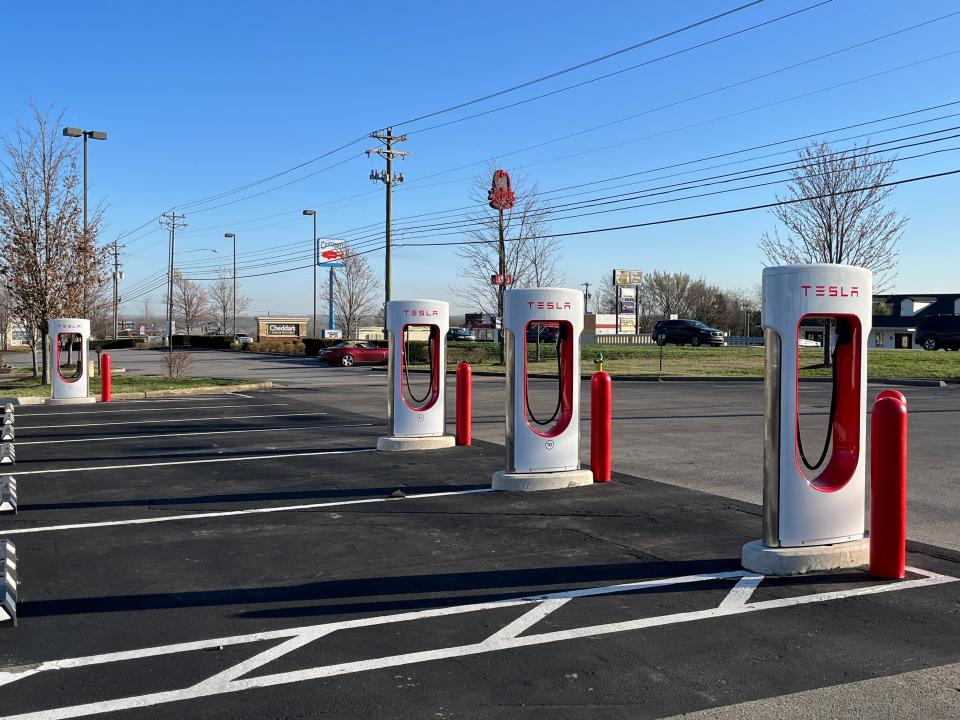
column 759, row 558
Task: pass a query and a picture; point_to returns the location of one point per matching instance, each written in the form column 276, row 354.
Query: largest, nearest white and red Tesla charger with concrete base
column 814, row 487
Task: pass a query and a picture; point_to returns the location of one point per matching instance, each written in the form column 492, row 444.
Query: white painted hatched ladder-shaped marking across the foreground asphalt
column 227, row 681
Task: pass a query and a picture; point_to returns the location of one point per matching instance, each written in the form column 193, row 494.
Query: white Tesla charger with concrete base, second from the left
column 416, row 417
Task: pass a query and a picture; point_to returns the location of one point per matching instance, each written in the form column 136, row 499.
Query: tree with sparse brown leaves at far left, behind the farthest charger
column 50, row 265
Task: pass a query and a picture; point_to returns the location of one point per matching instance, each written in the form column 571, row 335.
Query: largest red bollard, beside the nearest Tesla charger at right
column 888, row 486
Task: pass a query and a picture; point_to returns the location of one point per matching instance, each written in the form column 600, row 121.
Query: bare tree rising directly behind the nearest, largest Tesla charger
column 843, row 219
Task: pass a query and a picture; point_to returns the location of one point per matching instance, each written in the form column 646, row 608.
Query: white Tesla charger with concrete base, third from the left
column 542, row 452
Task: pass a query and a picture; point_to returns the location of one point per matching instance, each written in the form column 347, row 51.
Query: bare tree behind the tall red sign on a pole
column 531, row 253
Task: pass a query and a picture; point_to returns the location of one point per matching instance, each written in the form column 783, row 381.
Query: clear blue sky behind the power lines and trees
column 202, row 98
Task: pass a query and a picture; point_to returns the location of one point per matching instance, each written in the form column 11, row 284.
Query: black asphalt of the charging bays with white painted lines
column 251, row 556
